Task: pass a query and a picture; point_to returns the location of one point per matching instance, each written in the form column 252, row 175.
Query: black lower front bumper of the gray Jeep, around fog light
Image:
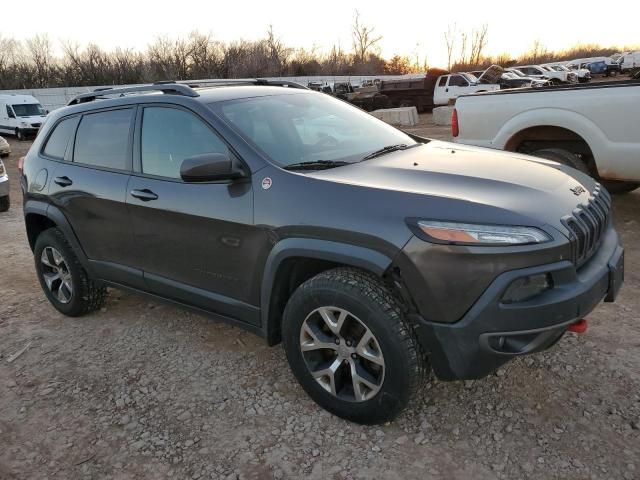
column 492, row 332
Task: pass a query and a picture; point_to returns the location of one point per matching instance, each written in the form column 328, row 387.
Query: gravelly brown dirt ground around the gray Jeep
column 145, row 390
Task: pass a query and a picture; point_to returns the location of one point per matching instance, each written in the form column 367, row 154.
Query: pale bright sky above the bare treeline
column 408, row 27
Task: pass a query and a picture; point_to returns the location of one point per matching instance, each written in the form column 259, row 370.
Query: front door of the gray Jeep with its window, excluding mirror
column 196, row 241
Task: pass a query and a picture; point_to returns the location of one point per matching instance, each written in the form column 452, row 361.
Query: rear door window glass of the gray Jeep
column 103, row 139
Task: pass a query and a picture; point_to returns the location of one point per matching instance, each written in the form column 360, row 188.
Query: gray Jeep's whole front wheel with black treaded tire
column 350, row 347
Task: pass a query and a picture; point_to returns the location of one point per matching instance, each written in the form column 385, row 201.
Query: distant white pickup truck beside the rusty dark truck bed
column 450, row 87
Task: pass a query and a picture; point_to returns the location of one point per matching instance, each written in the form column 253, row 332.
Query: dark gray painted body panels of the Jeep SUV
column 215, row 246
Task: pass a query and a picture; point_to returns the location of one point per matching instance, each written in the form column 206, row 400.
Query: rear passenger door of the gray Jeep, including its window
column 90, row 189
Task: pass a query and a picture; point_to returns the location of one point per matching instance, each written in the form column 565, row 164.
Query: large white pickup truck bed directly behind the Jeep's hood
column 591, row 127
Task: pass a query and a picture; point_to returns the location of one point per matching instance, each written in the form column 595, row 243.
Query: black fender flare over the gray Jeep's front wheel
column 343, row 253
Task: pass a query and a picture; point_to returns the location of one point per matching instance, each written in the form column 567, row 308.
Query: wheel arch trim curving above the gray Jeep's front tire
column 293, row 261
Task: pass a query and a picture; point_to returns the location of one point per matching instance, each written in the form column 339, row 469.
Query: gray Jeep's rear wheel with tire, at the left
column 63, row 279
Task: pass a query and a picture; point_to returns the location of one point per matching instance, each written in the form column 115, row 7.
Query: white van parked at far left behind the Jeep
column 20, row 115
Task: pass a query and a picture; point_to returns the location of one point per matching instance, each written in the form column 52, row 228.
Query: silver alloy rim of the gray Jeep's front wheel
column 342, row 354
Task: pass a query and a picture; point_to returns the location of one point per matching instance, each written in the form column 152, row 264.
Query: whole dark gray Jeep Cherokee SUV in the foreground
column 374, row 256
